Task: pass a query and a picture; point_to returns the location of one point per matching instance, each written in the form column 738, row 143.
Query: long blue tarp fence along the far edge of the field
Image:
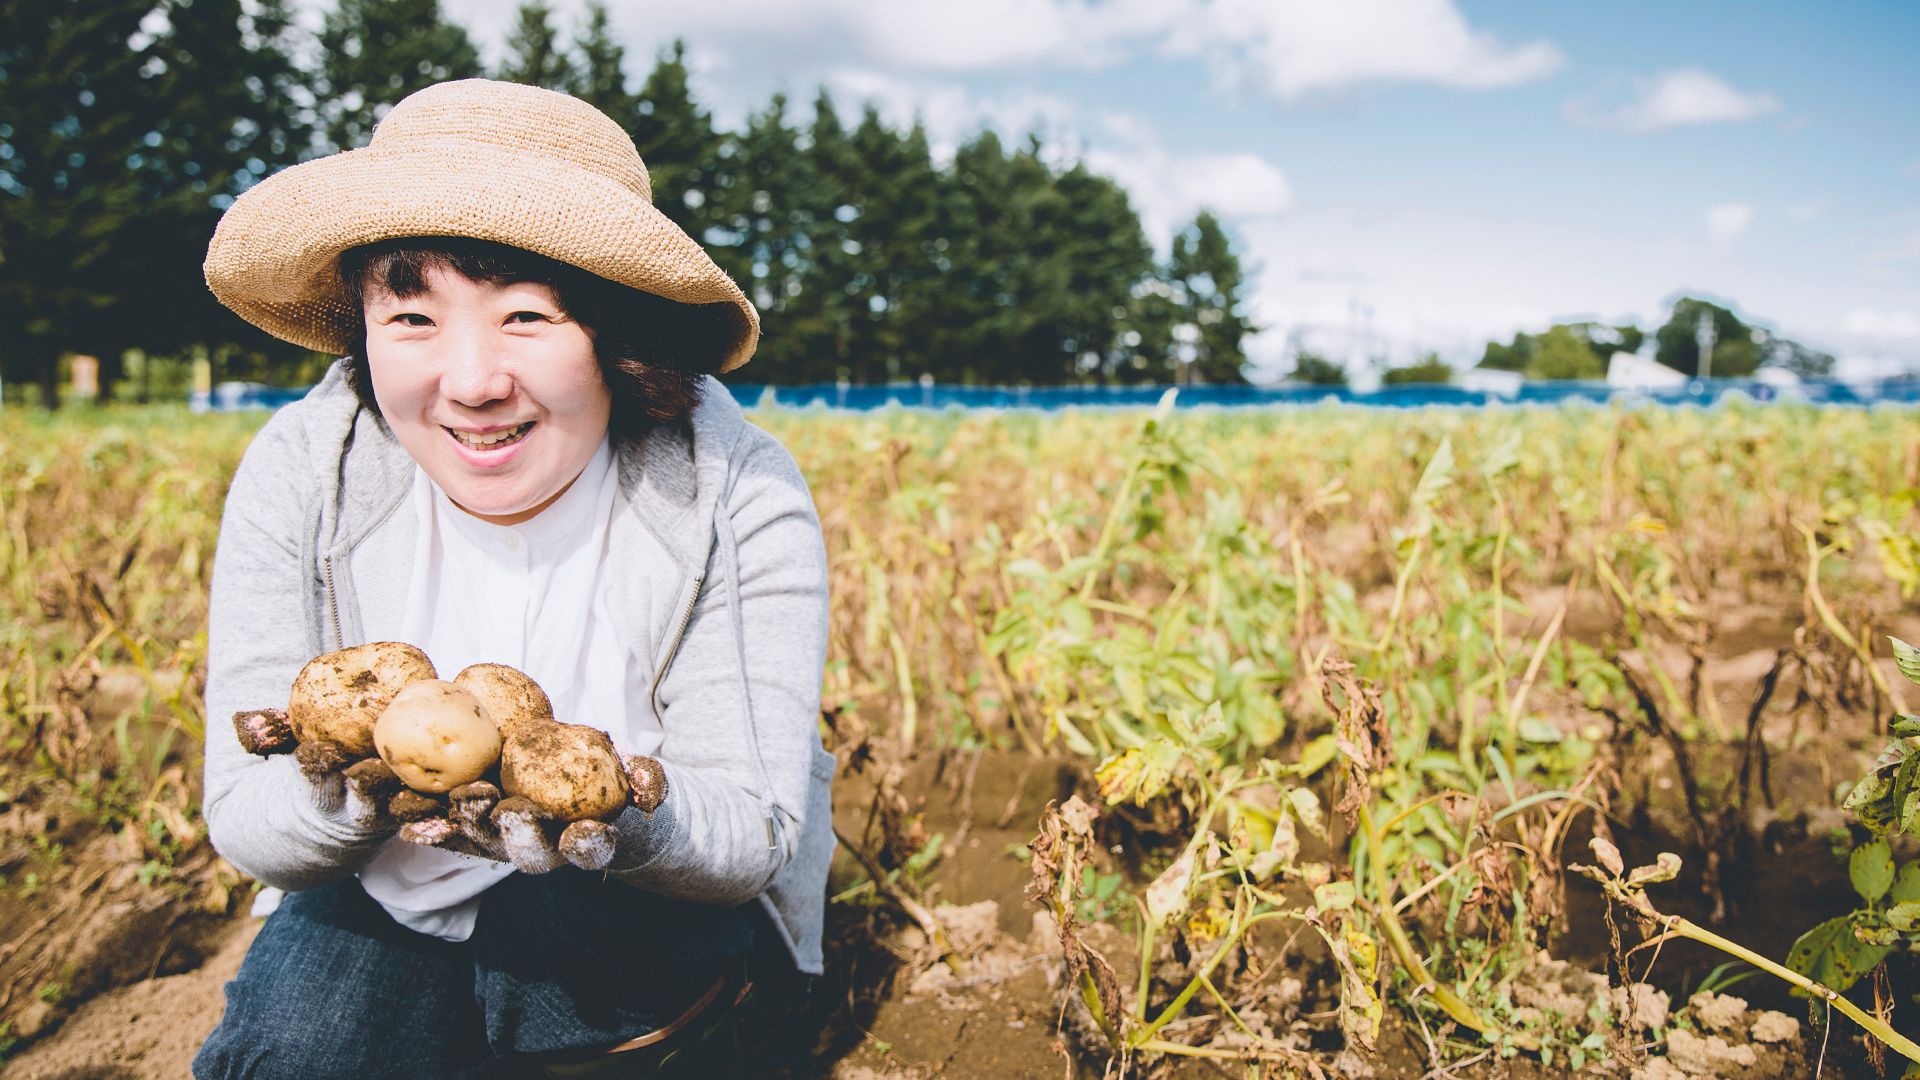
column 235, row 397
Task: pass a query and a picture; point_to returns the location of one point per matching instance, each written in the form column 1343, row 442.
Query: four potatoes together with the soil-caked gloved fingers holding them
column 475, row 766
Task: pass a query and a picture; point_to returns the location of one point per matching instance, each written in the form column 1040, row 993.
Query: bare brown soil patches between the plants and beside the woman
column 105, row 975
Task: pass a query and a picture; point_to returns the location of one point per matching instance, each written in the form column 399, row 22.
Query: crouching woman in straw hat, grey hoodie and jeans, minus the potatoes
column 523, row 460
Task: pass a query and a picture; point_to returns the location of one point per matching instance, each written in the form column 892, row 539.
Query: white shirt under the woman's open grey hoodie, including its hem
column 529, row 597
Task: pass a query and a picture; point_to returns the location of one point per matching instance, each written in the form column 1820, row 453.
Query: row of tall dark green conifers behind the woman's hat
column 130, row 126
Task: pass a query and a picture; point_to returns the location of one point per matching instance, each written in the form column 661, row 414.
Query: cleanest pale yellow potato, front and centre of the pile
column 437, row 737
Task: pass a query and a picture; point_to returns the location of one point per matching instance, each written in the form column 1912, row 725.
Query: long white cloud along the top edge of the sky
column 1285, row 49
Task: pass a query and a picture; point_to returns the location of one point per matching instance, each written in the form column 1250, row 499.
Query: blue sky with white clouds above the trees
column 1410, row 176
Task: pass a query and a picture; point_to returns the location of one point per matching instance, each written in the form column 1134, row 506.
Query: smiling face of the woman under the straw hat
column 491, row 387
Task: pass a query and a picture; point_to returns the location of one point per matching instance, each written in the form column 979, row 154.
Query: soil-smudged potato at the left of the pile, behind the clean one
column 339, row 697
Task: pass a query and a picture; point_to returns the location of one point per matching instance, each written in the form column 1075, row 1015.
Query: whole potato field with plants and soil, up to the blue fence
column 1291, row 724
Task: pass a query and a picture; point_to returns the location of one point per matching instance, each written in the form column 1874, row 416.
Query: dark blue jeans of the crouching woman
column 562, row 962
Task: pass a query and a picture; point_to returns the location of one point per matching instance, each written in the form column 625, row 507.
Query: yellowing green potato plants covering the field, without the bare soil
column 1418, row 645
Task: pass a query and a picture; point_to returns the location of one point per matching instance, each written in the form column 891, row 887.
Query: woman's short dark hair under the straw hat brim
column 652, row 351
